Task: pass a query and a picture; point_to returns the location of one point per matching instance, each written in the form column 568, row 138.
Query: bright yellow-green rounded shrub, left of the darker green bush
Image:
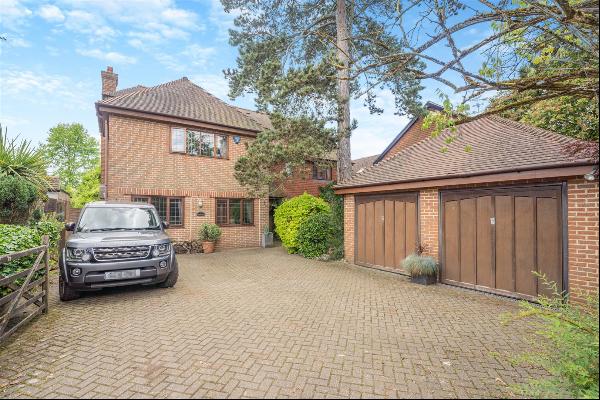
column 292, row 213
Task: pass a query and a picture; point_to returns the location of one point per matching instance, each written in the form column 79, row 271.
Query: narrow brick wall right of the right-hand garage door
column 583, row 236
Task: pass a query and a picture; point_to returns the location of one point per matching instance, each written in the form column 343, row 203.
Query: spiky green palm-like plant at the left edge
column 22, row 159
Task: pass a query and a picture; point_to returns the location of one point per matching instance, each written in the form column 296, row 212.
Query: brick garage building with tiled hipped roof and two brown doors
column 516, row 203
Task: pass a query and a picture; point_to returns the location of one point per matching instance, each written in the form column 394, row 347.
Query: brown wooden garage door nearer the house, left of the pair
column 386, row 229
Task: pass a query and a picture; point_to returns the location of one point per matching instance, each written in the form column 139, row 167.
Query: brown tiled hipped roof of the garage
column 497, row 145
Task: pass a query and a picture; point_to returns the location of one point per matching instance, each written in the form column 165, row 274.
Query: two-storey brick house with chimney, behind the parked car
column 175, row 145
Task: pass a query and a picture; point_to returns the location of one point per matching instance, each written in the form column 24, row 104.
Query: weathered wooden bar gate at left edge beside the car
column 29, row 299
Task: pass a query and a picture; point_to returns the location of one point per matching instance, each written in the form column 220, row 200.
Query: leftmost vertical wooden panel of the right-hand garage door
column 451, row 270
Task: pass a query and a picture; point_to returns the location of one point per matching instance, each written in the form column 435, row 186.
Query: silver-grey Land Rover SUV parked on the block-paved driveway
column 116, row 244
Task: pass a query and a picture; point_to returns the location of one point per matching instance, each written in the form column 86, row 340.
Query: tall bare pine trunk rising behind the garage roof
column 344, row 163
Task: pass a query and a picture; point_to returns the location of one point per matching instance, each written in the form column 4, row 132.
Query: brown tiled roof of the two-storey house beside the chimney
column 183, row 99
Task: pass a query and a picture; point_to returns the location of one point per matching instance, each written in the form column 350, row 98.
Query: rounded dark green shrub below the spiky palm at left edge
column 17, row 197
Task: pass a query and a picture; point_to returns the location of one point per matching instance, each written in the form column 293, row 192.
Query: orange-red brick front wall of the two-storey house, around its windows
column 140, row 163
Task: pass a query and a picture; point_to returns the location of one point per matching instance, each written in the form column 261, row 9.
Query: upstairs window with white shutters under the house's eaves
column 198, row 143
